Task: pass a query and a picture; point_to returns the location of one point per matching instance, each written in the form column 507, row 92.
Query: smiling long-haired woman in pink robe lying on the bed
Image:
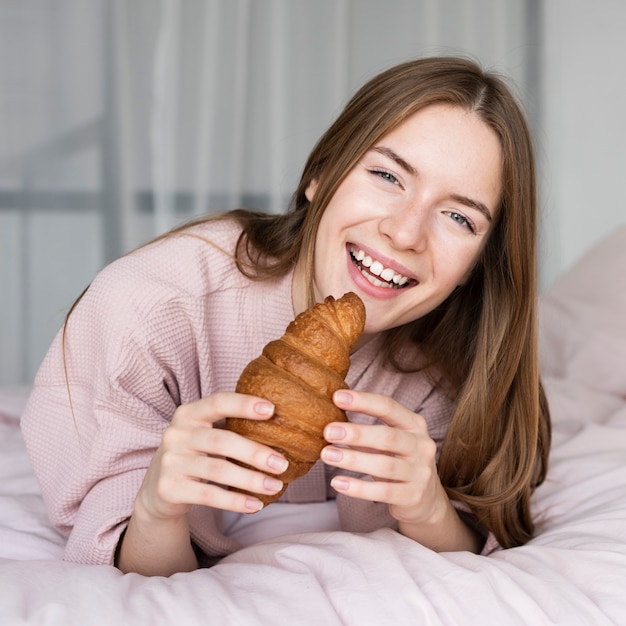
column 421, row 198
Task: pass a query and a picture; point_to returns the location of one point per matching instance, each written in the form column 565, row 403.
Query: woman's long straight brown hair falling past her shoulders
column 483, row 338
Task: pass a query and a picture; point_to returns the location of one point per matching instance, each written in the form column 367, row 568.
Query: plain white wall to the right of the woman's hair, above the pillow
column 583, row 129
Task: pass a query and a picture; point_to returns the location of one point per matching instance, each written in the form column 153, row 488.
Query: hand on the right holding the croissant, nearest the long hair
column 398, row 454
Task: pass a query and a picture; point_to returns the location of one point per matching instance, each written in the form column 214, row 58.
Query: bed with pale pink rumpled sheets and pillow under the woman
column 572, row 572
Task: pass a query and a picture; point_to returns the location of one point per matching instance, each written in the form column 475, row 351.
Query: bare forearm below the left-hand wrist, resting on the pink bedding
column 156, row 548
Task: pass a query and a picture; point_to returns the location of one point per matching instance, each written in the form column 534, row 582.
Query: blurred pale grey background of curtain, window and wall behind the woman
column 122, row 118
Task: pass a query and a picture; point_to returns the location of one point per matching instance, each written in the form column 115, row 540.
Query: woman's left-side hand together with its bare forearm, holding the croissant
column 192, row 466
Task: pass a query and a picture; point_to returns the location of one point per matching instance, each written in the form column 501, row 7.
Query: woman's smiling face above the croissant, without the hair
column 418, row 205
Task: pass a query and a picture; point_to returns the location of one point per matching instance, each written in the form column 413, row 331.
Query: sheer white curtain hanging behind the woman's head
column 223, row 99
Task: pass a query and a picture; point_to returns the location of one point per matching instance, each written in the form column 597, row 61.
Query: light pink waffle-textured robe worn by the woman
column 166, row 325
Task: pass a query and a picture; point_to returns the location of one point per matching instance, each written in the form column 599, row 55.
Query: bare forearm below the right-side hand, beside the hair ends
column 446, row 532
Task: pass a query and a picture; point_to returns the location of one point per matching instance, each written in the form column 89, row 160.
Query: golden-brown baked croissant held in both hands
column 299, row 373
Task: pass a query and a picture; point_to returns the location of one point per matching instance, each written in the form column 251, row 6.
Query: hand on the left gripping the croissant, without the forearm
column 192, row 465
